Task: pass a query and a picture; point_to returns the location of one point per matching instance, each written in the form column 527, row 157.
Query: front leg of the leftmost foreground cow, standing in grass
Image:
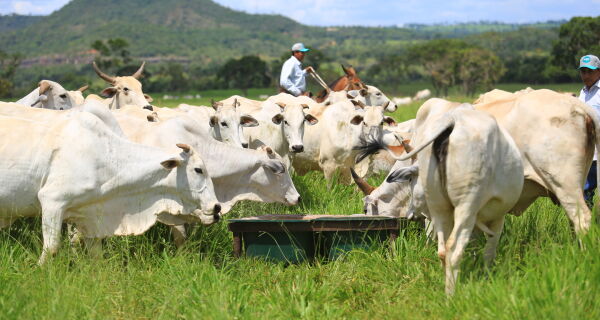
column 52, row 216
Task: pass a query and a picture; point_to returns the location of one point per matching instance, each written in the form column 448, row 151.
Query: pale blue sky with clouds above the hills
column 379, row 13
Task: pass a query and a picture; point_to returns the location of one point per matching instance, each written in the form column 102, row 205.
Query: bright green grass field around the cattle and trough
column 541, row 272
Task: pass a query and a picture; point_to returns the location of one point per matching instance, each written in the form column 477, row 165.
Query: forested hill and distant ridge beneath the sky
column 199, row 30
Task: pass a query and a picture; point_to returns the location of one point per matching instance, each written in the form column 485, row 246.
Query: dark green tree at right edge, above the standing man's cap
column 576, row 38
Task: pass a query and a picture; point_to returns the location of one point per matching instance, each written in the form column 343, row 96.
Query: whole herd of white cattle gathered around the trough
column 117, row 165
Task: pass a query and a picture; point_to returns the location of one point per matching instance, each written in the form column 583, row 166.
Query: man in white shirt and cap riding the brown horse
column 293, row 77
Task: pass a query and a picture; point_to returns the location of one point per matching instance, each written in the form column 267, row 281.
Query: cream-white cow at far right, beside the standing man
column 556, row 135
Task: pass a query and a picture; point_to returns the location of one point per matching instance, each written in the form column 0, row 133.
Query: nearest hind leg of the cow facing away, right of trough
column 464, row 221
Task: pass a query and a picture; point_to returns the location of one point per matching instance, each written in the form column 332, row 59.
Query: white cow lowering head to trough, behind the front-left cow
column 237, row 174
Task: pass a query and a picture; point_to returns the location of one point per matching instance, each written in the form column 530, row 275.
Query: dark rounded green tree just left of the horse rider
column 244, row 73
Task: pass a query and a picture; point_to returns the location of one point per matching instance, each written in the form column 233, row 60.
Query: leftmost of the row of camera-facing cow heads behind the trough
column 227, row 123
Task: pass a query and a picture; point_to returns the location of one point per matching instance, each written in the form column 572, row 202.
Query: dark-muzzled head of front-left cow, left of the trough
column 194, row 185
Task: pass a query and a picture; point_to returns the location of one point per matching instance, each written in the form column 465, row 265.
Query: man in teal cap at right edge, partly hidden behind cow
column 589, row 69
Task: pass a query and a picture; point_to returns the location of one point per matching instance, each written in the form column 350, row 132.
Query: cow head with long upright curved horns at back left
column 125, row 90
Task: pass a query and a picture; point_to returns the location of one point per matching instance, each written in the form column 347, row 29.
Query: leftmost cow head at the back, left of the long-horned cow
column 52, row 95
